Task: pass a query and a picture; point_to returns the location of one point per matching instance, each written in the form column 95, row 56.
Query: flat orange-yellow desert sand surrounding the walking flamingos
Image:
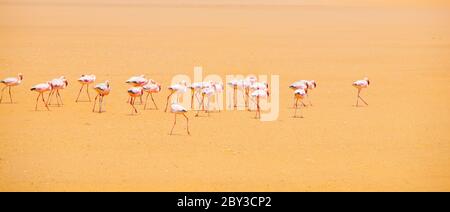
column 400, row 142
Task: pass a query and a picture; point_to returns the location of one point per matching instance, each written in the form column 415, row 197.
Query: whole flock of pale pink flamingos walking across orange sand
column 201, row 91
